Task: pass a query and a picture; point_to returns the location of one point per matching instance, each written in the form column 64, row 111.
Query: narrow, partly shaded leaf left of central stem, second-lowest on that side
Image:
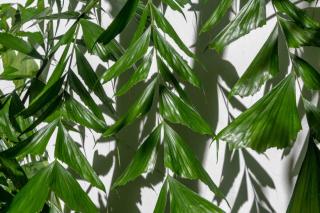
column 137, row 110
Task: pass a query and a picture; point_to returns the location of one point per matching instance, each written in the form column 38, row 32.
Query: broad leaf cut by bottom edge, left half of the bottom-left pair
column 38, row 187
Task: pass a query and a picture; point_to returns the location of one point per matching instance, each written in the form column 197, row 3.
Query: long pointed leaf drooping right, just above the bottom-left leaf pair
column 67, row 151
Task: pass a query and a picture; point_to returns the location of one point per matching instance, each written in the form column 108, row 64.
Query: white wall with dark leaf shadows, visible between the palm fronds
column 223, row 69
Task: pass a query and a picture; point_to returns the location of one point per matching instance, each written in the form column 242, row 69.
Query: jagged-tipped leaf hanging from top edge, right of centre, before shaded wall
column 217, row 15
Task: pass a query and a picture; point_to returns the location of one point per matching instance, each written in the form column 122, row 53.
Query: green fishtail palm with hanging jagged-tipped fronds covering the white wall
column 58, row 90
